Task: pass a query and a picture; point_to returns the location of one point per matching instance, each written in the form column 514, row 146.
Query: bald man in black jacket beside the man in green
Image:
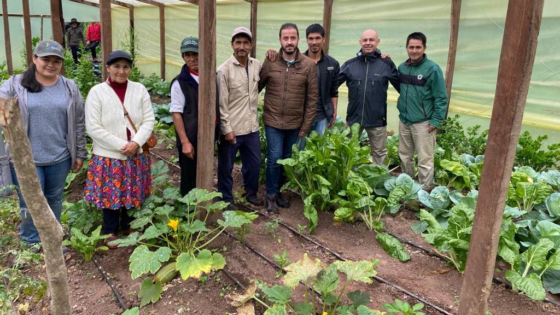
column 367, row 76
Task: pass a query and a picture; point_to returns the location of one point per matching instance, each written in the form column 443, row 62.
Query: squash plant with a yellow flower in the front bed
column 175, row 234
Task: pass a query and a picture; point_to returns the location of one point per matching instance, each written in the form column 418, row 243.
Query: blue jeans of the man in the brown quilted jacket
column 279, row 144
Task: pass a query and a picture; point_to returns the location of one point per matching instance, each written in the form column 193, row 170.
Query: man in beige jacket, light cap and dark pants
column 238, row 97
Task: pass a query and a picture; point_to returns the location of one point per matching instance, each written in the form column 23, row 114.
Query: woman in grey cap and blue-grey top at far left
column 52, row 109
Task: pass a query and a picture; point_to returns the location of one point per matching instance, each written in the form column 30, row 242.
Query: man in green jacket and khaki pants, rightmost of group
column 422, row 108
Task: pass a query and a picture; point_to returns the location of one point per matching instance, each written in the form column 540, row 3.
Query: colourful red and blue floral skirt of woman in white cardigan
column 114, row 184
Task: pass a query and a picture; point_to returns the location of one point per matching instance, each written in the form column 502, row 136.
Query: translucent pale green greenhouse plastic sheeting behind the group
column 478, row 52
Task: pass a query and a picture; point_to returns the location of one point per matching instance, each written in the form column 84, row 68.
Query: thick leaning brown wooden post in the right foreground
column 519, row 45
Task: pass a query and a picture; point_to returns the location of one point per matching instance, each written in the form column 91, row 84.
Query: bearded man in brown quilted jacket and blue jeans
column 290, row 104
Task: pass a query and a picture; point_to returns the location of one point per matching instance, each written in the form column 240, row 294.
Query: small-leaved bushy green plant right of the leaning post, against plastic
column 529, row 152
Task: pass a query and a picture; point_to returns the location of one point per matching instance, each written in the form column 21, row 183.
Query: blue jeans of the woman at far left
column 52, row 178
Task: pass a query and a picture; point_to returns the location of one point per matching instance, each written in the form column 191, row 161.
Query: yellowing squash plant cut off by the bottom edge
column 311, row 275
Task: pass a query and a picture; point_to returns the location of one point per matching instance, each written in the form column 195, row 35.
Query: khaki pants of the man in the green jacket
column 416, row 136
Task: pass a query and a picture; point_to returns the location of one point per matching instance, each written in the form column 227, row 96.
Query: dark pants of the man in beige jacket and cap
column 250, row 148
